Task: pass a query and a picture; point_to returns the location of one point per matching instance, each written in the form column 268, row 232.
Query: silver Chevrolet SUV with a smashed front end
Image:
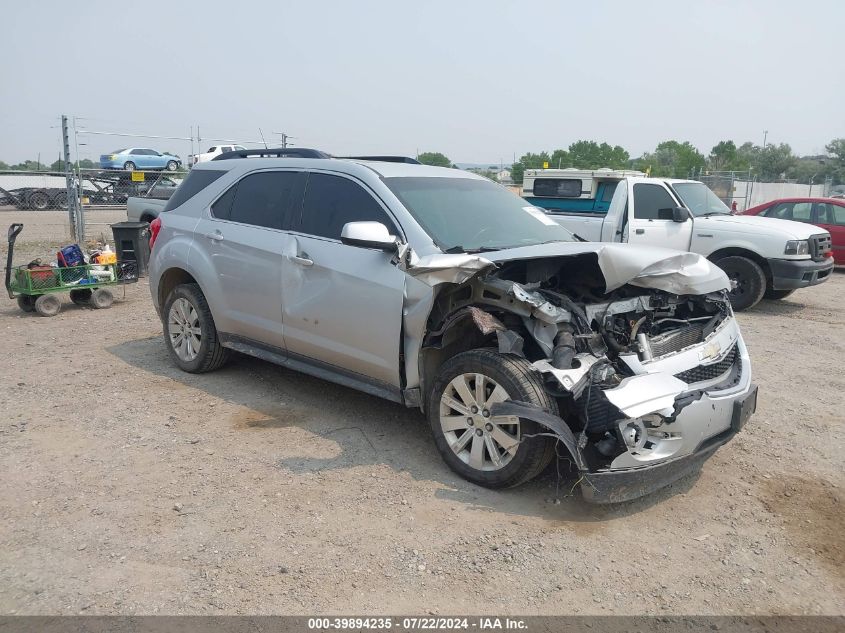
column 443, row 291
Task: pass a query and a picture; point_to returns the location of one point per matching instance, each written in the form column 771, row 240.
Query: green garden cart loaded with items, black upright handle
column 36, row 286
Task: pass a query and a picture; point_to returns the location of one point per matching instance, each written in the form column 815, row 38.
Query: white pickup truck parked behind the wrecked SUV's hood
column 761, row 256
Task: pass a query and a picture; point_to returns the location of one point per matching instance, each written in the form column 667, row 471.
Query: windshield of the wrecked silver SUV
column 465, row 214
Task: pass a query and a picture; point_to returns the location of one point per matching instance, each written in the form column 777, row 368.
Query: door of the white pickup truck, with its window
column 651, row 202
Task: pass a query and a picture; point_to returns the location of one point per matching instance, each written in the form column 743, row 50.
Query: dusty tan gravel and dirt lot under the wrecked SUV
column 131, row 488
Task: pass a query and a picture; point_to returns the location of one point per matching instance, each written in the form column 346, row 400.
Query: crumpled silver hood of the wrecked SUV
column 644, row 266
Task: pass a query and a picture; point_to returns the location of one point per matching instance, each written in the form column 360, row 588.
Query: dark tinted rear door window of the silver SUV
column 261, row 199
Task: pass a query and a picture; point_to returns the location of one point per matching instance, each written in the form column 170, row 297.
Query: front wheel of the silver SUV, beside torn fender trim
column 488, row 451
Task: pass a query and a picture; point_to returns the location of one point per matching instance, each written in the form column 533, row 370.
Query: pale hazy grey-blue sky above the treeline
column 479, row 81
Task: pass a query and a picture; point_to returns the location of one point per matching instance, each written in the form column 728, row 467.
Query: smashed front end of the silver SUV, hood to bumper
column 644, row 358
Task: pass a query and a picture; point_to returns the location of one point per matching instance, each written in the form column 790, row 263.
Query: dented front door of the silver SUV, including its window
column 342, row 304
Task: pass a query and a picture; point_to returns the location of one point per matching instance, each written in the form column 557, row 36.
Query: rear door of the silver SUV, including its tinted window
column 244, row 237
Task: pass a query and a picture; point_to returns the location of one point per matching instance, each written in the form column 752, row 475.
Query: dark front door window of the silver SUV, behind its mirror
column 332, row 201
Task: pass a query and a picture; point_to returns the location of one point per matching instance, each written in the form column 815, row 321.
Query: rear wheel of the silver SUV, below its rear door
column 189, row 331
